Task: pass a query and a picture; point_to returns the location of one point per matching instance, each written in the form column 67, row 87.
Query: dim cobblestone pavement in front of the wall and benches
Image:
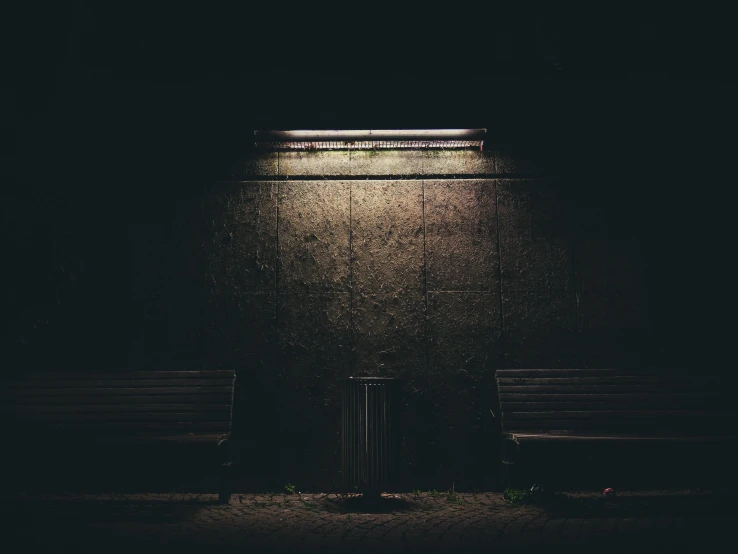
column 586, row 522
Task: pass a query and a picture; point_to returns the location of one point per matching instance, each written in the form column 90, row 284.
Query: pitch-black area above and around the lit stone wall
column 117, row 121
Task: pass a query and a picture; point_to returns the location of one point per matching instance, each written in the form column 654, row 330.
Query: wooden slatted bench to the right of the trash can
column 598, row 426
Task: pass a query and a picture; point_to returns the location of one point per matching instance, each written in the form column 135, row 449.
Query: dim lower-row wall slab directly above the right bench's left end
column 540, row 329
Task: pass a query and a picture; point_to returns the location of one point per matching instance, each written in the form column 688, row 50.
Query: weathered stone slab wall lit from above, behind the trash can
column 435, row 267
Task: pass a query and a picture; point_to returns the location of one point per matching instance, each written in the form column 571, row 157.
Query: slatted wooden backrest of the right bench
column 607, row 401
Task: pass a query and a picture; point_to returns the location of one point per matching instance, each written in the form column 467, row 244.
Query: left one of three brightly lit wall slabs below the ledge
column 314, row 236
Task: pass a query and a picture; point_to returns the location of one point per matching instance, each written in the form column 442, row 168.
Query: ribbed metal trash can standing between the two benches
column 368, row 448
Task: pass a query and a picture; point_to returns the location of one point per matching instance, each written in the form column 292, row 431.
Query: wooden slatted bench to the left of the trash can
column 92, row 410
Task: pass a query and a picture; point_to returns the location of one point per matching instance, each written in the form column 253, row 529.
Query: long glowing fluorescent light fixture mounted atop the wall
column 370, row 140
